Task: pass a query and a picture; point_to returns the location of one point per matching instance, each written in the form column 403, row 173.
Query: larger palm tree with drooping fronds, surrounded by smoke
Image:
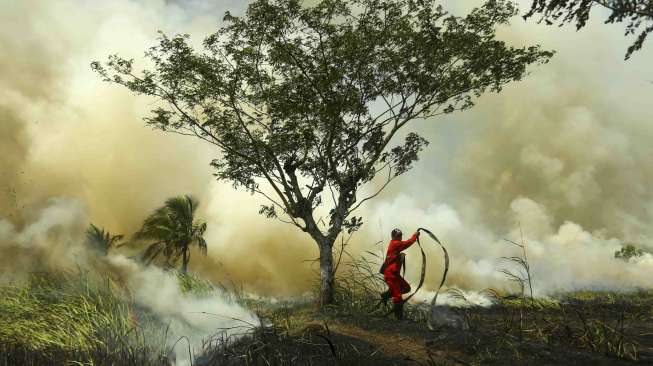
column 173, row 229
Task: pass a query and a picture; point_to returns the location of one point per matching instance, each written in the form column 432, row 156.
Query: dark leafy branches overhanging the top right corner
column 636, row 14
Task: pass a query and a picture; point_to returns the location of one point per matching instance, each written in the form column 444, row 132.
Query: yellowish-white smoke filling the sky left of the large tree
column 64, row 133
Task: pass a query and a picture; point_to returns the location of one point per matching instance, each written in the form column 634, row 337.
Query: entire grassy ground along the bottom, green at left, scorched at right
column 73, row 319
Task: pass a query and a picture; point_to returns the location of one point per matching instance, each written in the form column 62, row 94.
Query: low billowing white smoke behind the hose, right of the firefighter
column 562, row 258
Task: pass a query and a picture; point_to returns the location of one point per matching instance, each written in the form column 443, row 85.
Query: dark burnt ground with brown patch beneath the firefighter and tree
column 600, row 331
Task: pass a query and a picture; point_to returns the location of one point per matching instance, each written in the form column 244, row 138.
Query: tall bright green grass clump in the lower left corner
column 63, row 318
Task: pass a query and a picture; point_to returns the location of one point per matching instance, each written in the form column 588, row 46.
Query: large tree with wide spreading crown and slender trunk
column 305, row 103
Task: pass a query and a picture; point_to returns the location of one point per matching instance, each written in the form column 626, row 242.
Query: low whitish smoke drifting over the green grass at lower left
column 55, row 241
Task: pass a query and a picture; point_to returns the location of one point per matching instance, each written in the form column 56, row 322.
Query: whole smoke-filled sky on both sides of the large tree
column 560, row 160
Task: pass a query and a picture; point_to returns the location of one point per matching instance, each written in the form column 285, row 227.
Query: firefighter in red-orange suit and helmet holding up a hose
column 391, row 269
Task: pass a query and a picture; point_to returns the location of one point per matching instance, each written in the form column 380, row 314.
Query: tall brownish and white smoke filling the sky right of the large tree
column 562, row 155
